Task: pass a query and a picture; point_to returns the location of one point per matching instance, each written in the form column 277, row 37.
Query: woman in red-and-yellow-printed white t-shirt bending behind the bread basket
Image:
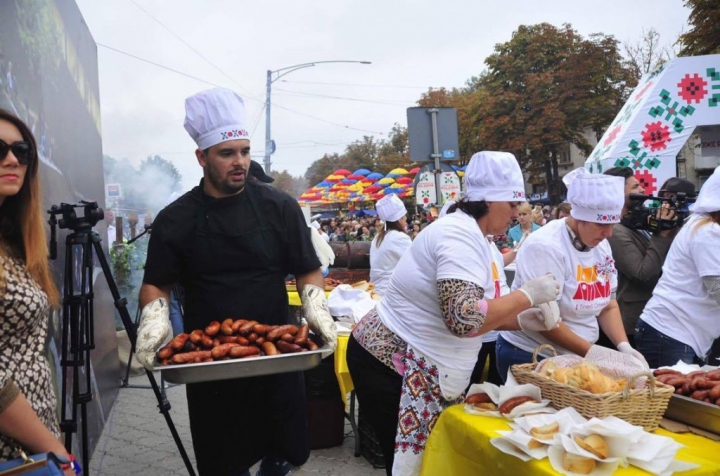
column 575, row 250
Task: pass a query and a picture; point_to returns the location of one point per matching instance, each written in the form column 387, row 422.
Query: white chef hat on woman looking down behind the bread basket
column 594, row 197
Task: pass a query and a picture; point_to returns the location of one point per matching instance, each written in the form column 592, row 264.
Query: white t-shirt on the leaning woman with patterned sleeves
column 451, row 248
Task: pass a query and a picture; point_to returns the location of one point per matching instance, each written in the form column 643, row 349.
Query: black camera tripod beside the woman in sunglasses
column 77, row 330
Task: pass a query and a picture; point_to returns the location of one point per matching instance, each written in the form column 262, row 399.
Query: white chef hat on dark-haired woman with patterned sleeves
column 494, row 177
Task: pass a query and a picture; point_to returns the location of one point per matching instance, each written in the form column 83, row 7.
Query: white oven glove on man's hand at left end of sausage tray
column 153, row 330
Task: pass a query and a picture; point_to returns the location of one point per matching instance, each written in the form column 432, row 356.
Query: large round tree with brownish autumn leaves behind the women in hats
column 543, row 88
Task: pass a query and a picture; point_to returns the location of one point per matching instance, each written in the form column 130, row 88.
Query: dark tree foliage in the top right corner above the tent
column 704, row 35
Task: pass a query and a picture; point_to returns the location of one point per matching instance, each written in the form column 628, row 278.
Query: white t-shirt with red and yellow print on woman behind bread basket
column 587, row 281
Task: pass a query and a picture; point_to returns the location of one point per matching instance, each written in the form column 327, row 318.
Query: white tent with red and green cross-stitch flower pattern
column 659, row 117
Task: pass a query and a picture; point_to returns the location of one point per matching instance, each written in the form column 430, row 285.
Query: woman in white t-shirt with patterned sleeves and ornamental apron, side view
column 415, row 352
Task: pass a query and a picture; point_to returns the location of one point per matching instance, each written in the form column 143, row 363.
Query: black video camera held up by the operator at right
column 642, row 217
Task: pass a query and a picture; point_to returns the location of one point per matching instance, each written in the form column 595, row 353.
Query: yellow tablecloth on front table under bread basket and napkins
column 460, row 445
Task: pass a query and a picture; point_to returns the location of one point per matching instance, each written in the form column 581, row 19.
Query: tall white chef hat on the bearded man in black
column 214, row 116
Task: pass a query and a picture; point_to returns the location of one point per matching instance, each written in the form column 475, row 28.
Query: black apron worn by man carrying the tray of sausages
column 237, row 271
